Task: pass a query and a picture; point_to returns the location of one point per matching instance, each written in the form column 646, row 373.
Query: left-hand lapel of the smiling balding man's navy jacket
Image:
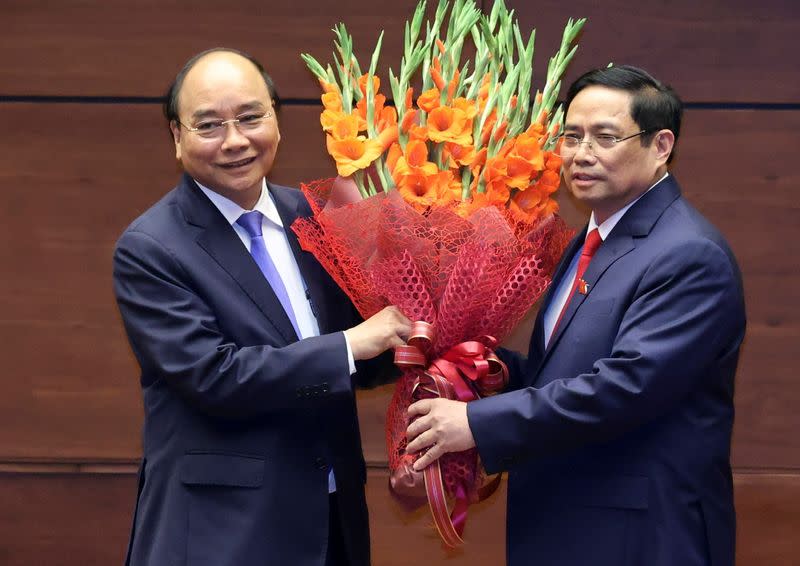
column 220, row 241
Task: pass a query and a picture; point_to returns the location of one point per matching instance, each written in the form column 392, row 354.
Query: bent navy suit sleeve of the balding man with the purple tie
column 175, row 337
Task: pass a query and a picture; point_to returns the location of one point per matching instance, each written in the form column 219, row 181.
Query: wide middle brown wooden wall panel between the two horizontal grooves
column 68, row 366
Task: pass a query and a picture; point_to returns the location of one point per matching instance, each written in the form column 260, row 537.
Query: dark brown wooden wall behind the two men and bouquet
column 85, row 150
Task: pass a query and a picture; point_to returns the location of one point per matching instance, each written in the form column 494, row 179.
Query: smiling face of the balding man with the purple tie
column 223, row 86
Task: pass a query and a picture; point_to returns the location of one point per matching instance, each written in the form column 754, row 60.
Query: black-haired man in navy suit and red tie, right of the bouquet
column 616, row 428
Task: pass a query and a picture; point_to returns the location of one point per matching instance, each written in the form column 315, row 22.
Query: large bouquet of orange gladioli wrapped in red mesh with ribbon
column 443, row 206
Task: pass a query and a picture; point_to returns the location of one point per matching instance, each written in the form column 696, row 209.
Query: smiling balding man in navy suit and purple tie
column 252, row 454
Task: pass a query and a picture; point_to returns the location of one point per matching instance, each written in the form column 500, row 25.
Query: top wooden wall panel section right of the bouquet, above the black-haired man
column 710, row 51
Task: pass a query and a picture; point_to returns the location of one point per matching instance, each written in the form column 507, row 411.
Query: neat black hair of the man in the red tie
column 655, row 106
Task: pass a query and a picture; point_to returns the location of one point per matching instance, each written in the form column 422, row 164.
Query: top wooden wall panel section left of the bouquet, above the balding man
column 120, row 48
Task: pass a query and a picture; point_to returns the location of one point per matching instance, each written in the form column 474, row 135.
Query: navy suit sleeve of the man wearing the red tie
column 686, row 315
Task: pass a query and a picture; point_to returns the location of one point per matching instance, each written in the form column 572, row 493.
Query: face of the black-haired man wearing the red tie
column 608, row 179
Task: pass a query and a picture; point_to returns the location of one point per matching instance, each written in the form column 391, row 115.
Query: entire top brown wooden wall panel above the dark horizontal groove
column 711, row 51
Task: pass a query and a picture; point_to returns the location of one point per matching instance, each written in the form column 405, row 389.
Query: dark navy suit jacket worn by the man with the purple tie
column 242, row 420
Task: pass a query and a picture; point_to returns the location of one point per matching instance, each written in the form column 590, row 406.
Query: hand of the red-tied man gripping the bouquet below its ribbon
column 442, row 427
